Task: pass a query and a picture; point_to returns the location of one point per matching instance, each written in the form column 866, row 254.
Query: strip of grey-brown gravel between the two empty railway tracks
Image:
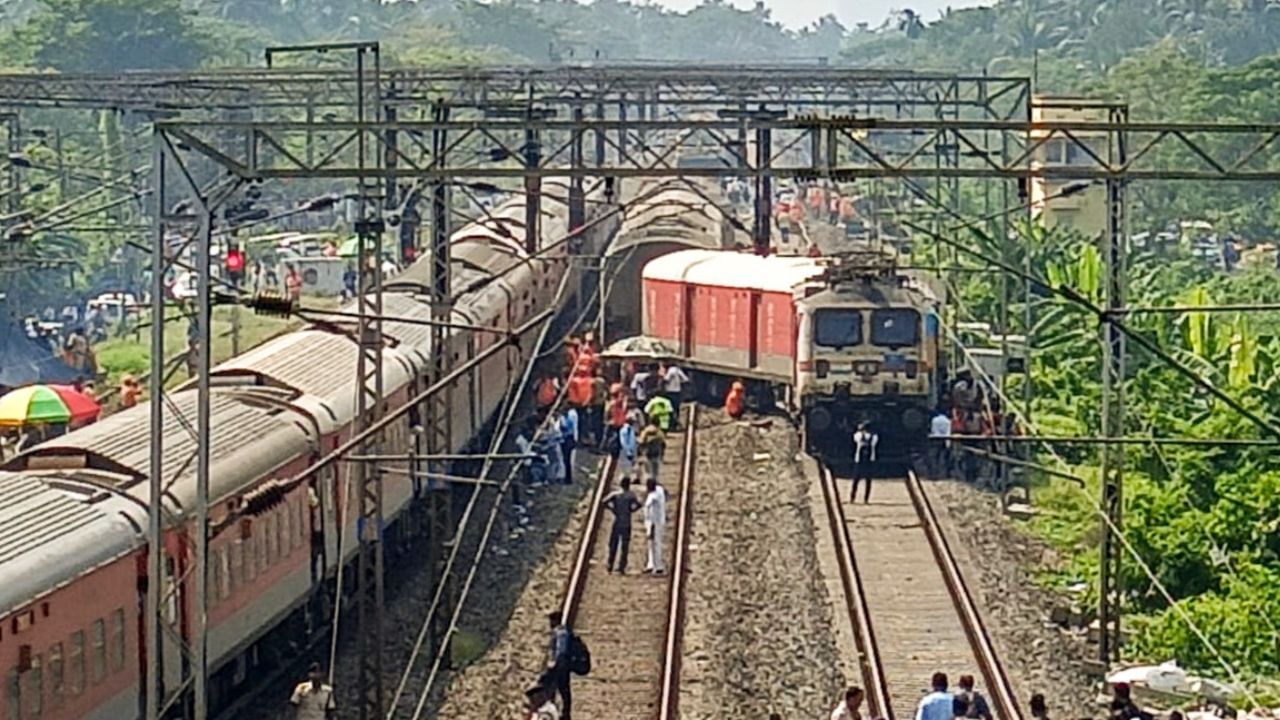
column 758, row 635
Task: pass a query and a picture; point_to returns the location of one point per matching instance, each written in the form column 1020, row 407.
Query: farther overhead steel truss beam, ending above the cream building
column 328, row 89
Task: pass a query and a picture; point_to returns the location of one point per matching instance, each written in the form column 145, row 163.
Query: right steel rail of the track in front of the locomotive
column 989, row 660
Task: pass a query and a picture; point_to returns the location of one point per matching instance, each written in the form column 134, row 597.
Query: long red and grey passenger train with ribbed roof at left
column 74, row 511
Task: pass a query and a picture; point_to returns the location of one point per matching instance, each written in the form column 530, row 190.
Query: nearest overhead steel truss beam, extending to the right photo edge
column 852, row 149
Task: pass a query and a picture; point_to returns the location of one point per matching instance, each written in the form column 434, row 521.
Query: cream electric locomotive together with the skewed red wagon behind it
column 838, row 343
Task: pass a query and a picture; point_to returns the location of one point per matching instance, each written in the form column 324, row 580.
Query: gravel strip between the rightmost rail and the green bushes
column 999, row 560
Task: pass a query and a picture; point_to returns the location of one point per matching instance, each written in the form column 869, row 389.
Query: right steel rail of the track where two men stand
column 669, row 708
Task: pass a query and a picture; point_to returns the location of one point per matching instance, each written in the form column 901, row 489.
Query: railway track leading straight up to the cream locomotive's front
column 907, row 600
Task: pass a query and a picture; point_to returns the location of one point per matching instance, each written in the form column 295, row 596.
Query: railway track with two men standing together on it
column 634, row 622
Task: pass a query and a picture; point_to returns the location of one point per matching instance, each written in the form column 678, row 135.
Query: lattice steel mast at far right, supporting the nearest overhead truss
column 1114, row 256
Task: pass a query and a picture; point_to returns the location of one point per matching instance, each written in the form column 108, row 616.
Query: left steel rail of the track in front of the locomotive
column 856, row 603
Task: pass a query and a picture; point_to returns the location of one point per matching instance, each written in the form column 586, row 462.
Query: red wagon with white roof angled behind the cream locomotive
column 728, row 312
